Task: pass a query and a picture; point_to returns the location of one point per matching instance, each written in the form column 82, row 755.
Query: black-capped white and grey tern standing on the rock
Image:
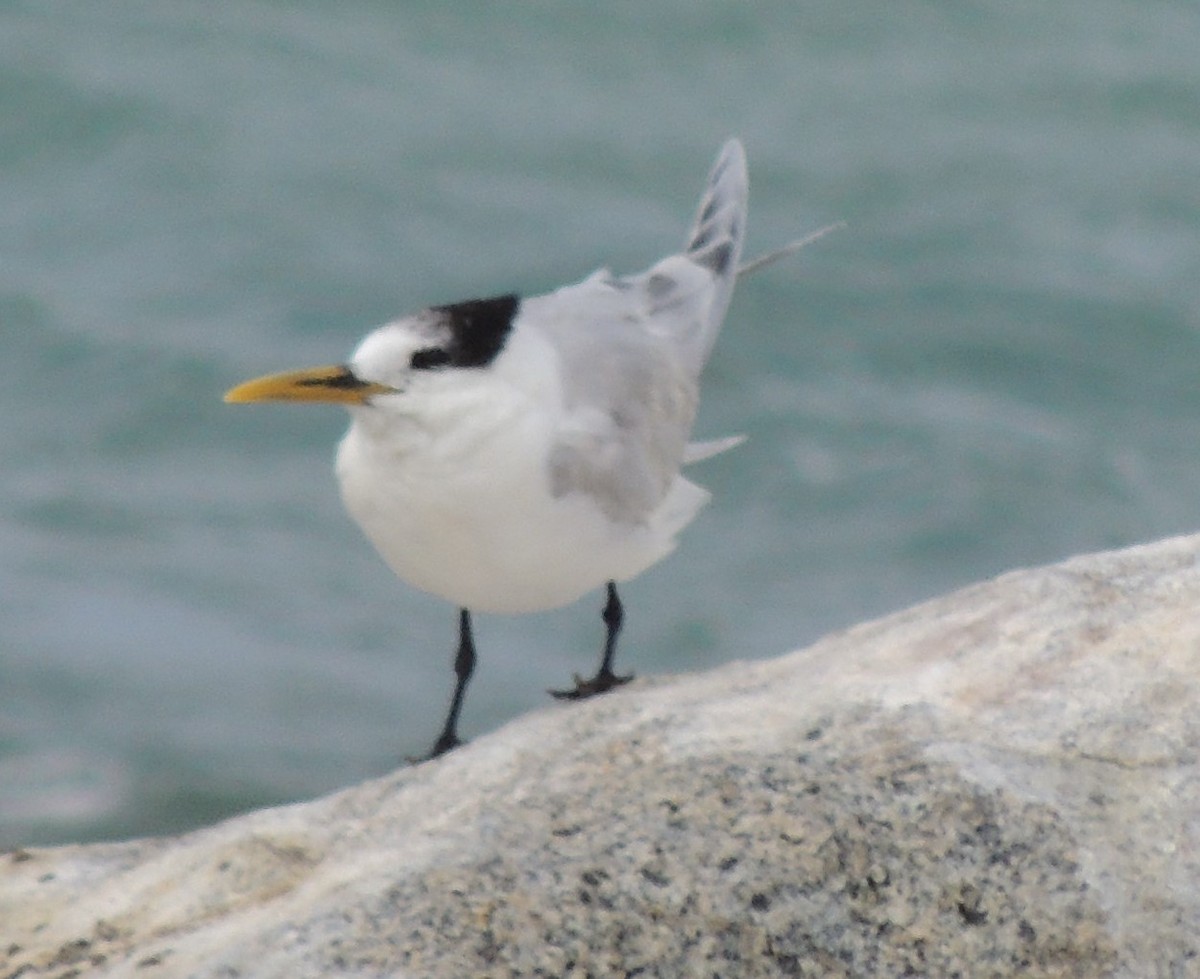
column 512, row 455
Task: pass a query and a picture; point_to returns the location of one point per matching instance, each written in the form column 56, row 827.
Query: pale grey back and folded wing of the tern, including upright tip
column 632, row 350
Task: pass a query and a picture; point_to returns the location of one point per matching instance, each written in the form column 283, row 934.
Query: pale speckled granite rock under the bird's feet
column 999, row 783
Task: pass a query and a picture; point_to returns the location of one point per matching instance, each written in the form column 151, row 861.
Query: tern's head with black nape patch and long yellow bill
column 392, row 359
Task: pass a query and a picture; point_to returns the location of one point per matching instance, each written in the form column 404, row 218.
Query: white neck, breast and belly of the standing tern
column 454, row 488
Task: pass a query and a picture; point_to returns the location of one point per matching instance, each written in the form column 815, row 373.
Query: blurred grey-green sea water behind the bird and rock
column 995, row 365
